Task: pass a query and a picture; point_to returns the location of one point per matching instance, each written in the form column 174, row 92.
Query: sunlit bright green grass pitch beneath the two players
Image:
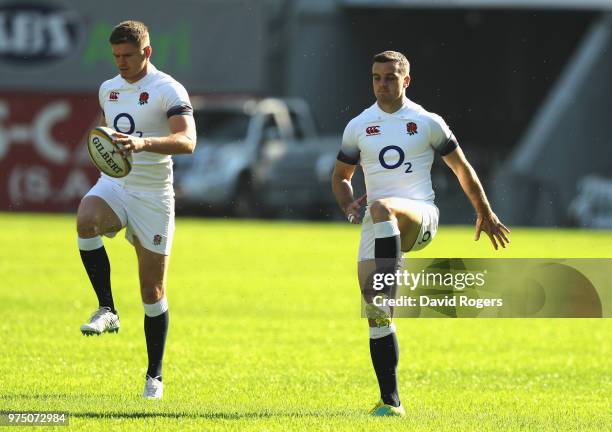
column 266, row 334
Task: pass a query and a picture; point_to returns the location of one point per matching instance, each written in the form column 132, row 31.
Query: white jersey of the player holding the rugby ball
column 142, row 109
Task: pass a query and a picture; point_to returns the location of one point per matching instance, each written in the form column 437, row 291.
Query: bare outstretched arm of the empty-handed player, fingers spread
column 486, row 220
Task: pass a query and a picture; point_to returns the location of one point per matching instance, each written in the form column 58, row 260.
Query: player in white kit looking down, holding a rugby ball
column 153, row 119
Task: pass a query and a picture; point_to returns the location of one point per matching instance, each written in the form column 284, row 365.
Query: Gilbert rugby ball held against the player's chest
column 105, row 154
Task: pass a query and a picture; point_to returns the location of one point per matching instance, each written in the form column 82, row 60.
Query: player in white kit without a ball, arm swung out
column 394, row 140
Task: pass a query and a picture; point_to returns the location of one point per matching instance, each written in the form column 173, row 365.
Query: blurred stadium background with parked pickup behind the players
column 523, row 83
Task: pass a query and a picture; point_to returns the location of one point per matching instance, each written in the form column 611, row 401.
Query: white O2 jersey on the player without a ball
column 396, row 150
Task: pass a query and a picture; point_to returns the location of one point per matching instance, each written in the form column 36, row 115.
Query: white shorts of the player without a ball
column 429, row 227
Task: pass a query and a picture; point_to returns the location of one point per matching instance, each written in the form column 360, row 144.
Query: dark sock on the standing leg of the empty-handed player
column 385, row 356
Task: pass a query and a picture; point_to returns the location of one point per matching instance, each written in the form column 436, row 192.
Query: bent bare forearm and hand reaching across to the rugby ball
column 182, row 138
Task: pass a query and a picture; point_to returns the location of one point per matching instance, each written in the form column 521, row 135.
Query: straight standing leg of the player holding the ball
column 152, row 269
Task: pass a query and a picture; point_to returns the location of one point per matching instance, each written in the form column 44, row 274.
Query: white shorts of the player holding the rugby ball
column 146, row 215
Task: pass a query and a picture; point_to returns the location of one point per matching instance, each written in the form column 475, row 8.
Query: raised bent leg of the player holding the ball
column 95, row 217
